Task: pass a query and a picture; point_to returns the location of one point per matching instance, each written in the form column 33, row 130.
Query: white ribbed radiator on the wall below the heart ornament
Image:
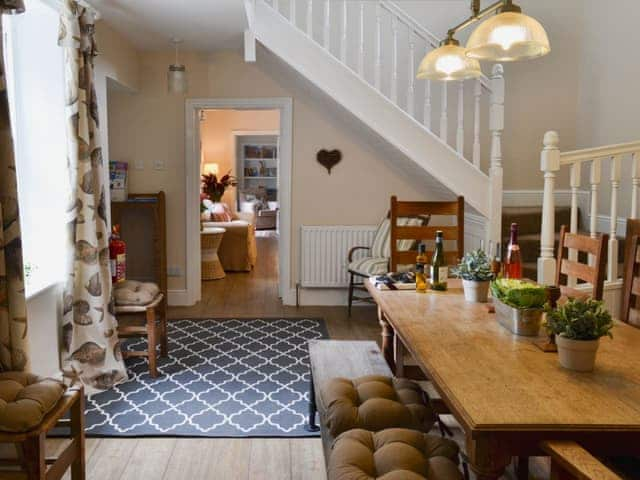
column 323, row 253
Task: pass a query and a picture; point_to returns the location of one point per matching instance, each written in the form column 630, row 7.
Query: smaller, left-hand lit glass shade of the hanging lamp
column 447, row 63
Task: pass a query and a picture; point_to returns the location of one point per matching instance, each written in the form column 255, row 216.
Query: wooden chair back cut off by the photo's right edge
column 630, row 309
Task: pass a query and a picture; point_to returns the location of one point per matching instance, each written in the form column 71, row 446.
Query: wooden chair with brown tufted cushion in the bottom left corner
column 30, row 407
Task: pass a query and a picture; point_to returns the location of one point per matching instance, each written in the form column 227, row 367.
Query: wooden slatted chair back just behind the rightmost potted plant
column 593, row 274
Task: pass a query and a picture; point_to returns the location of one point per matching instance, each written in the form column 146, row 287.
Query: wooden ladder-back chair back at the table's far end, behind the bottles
column 427, row 232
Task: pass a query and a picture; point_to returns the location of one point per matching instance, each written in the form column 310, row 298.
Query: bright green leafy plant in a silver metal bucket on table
column 519, row 305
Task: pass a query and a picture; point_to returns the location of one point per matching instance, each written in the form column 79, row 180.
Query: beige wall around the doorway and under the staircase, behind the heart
column 149, row 127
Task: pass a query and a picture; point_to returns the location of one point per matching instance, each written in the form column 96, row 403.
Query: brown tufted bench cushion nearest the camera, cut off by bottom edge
column 393, row 454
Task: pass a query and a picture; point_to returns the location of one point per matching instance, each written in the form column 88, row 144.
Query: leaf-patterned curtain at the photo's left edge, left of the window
column 13, row 317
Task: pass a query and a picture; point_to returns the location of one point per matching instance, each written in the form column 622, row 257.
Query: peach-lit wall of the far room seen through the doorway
column 218, row 141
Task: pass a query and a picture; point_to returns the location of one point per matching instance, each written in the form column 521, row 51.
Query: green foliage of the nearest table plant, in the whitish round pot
column 580, row 320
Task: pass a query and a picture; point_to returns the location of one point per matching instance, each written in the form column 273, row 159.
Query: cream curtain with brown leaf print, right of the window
column 90, row 351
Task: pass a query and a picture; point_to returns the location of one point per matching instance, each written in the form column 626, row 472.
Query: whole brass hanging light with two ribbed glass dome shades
column 507, row 37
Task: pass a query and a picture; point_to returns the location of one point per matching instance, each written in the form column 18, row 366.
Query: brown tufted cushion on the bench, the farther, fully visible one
column 375, row 402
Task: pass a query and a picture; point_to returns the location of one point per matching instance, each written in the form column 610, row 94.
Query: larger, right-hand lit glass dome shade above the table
column 507, row 37
